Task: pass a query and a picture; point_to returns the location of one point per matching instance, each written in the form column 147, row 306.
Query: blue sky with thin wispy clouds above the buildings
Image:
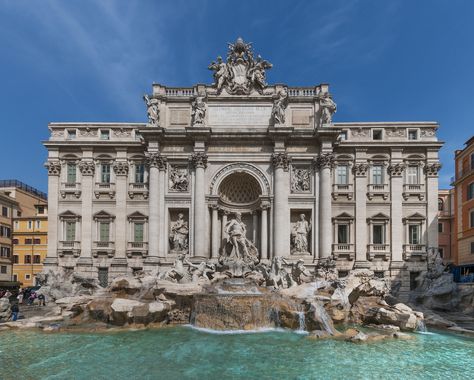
column 92, row 61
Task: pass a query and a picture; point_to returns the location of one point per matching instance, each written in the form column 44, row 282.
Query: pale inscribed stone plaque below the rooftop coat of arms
column 240, row 115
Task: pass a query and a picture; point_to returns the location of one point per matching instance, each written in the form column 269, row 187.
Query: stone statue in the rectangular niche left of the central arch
column 178, row 231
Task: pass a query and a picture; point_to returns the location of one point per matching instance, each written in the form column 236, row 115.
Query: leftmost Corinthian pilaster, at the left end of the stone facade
column 54, row 170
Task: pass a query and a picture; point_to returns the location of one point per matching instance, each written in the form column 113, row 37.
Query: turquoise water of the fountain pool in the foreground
column 186, row 353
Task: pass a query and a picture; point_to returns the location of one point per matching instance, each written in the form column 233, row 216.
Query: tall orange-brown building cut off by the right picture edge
column 463, row 229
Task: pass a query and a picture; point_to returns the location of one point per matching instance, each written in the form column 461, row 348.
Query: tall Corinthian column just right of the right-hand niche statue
column 325, row 162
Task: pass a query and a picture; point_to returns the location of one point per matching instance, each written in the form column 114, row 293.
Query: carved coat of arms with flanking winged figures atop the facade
column 242, row 73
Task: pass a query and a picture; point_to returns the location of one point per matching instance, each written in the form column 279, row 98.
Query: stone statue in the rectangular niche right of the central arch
column 300, row 239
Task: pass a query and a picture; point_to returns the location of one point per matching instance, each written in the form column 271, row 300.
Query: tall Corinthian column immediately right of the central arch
column 281, row 210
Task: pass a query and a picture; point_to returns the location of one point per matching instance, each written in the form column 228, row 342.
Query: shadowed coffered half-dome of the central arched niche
column 239, row 189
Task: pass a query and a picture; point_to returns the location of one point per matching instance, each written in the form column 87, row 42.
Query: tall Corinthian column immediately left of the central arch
column 199, row 162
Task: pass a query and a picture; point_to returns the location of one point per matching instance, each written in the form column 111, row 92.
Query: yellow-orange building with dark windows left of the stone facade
column 30, row 230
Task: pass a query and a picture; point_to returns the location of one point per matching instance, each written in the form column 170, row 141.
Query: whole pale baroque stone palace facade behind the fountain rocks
column 129, row 197
